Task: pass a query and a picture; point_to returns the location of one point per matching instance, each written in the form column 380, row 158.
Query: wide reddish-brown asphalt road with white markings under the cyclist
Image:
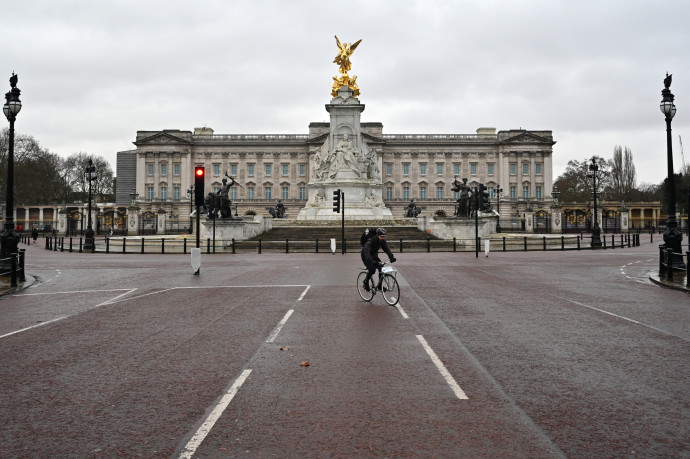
column 538, row 354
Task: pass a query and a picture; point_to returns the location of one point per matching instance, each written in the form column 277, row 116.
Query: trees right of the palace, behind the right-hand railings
column 617, row 181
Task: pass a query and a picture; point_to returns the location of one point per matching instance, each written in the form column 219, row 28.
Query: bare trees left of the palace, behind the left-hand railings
column 42, row 177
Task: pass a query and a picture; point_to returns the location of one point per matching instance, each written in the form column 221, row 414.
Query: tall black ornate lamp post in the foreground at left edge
column 9, row 238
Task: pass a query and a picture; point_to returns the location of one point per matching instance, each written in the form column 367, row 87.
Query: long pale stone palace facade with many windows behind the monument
column 158, row 174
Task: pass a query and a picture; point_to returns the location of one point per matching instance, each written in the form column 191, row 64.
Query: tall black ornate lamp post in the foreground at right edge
column 672, row 236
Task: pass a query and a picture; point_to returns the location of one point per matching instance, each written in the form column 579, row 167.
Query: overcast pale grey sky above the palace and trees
column 93, row 73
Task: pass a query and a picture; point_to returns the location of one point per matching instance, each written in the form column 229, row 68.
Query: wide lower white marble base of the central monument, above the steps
column 362, row 202
